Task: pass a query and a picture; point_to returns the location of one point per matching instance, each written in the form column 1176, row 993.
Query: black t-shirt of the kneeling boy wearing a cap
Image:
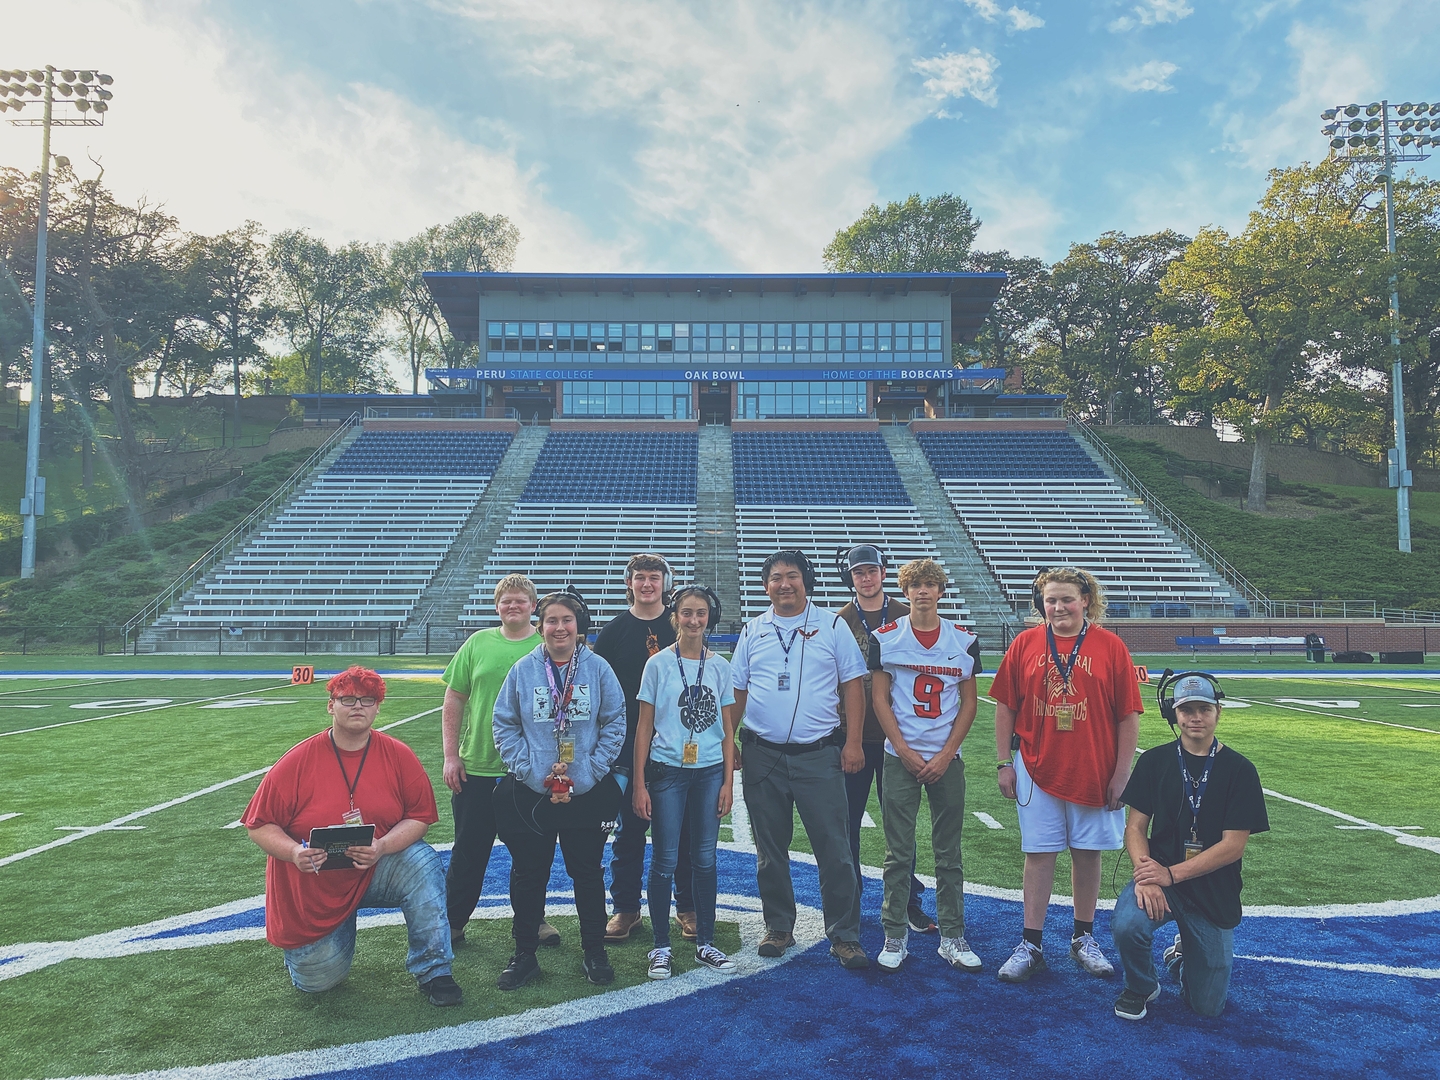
column 1233, row 801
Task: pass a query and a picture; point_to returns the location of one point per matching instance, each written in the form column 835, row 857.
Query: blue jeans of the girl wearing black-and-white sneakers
column 679, row 798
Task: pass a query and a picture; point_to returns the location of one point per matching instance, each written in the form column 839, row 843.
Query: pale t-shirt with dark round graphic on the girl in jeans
column 675, row 719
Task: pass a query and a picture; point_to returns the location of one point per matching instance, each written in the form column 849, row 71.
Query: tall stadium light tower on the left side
column 89, row 94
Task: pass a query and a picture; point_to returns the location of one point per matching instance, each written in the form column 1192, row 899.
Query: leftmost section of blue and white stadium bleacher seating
column 361, row 544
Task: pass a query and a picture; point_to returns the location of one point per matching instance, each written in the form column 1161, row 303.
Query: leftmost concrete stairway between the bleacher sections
column 444, row 600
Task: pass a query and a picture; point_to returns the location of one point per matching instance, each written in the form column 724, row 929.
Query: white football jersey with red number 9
column 927, row 670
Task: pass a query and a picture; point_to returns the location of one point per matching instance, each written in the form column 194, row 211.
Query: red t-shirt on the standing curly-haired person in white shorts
column 1075, row 765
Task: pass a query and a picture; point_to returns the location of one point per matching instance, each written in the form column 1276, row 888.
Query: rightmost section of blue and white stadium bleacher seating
column 1032, row 500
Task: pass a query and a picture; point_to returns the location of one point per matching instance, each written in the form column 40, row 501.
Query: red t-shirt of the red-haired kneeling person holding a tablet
column 306, row 791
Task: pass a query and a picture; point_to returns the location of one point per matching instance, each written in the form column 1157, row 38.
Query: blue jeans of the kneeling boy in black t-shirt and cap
column 1207, row 950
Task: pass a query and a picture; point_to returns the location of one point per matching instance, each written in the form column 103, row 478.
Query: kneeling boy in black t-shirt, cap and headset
column 1200, row 803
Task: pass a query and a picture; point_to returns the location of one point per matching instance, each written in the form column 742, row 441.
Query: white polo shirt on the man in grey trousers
column 793, row 670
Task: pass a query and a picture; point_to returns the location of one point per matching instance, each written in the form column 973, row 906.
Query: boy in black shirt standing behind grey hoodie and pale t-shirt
column 627, row 643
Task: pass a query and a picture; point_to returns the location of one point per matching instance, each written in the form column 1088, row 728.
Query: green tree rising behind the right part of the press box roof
column 919, row 235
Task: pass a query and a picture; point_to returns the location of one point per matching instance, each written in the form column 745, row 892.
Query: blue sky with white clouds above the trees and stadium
column 662, row 136
